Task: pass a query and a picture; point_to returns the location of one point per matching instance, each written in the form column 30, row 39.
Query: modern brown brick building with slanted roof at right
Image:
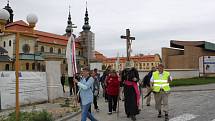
column 185, row 54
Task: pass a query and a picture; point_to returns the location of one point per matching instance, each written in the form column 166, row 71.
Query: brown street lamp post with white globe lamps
column 32, row 20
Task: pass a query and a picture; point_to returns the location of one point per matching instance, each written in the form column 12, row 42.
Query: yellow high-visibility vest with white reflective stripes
column 161, row 83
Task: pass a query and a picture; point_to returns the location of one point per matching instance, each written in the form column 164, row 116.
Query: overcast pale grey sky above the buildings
column 153, row 22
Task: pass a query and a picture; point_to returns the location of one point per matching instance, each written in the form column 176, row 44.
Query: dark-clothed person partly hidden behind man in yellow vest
column 146, row 83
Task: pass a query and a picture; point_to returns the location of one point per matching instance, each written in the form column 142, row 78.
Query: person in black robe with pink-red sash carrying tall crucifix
column 129, row 79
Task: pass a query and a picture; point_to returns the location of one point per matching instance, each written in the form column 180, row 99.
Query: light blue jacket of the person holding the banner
column 86, row 88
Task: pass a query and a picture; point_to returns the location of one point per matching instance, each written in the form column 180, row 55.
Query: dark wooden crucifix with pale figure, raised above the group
column 128, row 43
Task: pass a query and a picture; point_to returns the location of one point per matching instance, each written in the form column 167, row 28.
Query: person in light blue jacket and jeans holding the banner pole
column 86, row 94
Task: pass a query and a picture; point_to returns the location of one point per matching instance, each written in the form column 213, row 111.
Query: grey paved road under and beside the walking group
column 183, row 106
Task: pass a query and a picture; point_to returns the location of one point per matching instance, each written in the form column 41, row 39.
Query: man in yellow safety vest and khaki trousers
column 160, row 85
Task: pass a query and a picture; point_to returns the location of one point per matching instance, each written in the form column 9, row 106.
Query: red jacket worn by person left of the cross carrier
column 112, row 85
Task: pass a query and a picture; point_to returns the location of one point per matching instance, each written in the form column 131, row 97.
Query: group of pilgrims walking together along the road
column 124, row 85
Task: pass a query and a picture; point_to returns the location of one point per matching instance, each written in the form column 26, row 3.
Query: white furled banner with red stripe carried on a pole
column 71, row 56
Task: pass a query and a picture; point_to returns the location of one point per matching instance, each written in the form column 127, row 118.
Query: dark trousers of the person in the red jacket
column 112, row 102
